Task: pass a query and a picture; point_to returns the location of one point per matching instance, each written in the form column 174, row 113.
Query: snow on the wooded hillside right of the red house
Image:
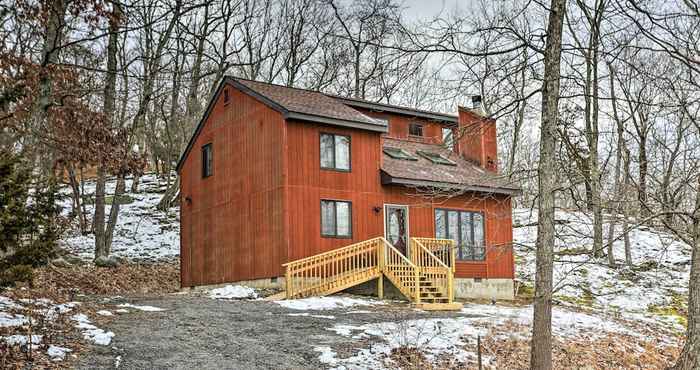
column 660, row 275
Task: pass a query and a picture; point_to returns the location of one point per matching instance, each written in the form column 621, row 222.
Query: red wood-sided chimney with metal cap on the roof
column 476, row 137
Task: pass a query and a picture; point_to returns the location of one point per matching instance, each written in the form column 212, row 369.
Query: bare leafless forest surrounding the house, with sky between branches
column 597, row 104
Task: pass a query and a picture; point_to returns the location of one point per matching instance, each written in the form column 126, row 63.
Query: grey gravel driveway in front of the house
column 197, row 332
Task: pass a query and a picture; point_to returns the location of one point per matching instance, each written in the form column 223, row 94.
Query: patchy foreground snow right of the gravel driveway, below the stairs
column 457, row 336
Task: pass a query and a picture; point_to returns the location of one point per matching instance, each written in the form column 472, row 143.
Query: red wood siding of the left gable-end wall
column 233, row 228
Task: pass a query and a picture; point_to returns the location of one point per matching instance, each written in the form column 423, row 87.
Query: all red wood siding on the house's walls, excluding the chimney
column 261, row 206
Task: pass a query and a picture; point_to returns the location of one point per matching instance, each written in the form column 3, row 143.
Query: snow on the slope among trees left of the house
column 143, row 233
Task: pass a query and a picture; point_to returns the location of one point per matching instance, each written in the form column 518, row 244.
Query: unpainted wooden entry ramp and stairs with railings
column 426, row 277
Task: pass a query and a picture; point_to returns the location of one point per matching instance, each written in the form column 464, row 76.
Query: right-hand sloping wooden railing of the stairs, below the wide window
column 432, row 267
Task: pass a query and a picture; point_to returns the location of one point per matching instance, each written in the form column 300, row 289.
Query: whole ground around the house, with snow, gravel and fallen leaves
column 134, row 316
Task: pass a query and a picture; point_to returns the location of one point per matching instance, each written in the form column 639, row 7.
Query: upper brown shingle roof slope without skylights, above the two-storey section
column 307, row 102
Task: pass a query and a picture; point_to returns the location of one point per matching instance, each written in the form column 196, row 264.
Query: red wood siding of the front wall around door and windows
column 308, row 184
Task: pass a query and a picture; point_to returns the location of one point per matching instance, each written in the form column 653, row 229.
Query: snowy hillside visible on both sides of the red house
column 655, row 288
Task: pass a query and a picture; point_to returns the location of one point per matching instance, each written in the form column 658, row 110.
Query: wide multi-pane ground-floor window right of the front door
column 466, row 229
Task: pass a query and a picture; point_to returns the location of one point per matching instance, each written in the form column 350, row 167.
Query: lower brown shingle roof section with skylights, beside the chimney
column 424, row 172
